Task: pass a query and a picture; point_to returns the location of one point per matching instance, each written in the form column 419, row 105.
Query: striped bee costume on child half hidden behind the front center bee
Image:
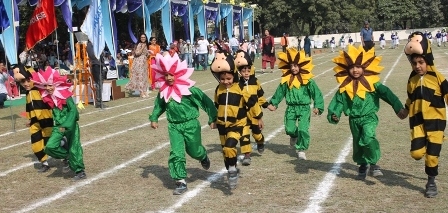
column 253, row 89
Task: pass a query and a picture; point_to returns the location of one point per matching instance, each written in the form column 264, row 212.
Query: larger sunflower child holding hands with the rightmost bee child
column 358, row 97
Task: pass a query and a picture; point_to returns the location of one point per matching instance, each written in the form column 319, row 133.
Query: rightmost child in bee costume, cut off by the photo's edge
column 426, row 103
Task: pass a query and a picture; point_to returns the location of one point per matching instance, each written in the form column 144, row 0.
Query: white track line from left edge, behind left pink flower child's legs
column 24, row 165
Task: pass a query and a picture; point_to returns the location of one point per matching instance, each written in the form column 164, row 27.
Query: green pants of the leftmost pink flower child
column 54, row 149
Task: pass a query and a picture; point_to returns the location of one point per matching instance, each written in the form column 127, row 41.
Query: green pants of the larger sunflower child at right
column 366, row 149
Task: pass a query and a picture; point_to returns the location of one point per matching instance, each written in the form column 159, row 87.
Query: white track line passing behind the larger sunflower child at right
column 324, row 188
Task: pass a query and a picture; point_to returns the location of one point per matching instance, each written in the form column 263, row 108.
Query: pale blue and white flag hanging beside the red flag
column 93, row 27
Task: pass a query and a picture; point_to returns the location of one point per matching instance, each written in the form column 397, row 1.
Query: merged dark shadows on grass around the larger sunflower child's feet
column 390, row 177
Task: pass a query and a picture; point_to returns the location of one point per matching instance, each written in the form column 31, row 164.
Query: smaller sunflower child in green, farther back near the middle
column 300, row 91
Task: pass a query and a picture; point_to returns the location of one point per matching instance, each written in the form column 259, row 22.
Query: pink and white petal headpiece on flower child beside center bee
column 179, row 69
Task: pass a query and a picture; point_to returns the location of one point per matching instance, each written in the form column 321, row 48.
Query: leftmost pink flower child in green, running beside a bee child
column 55, row 91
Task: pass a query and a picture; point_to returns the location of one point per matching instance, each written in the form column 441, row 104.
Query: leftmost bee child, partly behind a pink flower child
column 38, row 114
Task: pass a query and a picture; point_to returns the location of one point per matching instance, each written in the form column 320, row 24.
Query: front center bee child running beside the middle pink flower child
column 233, row 106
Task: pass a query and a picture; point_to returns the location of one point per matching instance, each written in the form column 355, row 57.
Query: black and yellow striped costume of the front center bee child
column 233, row 109
